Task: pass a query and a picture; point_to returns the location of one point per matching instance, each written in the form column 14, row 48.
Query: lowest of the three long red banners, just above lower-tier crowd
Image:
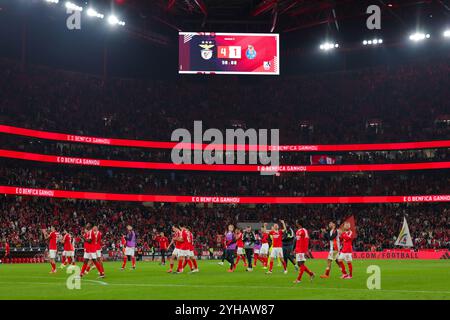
column 23, row 191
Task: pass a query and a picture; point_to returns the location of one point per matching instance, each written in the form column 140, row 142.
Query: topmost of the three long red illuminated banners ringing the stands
column 170, row 145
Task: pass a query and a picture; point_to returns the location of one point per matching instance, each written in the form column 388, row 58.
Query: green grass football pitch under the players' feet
column 400, row 279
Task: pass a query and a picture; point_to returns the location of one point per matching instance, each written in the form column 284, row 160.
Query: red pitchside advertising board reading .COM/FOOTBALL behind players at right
column 391, row 255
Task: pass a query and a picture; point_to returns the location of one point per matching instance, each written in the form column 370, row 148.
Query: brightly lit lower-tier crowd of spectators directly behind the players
column 21, row 221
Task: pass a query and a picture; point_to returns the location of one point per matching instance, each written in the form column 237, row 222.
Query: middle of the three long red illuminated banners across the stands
column 219, row 167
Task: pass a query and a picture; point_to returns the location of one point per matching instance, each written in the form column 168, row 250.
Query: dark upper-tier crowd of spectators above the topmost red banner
column 390, row 103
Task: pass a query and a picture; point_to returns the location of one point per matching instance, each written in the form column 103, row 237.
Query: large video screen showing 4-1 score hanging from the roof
column 229, row 53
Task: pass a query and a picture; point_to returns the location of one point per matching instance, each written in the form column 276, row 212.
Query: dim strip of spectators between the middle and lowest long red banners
column 224, row 184
